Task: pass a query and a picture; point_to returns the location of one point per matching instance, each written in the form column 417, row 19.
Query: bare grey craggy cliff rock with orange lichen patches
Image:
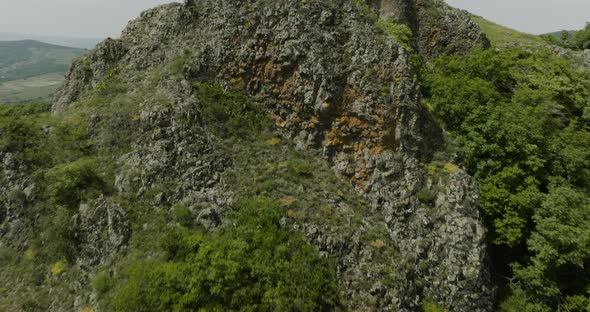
column 333, row 84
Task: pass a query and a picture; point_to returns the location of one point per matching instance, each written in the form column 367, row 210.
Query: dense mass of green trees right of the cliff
column 522, row 120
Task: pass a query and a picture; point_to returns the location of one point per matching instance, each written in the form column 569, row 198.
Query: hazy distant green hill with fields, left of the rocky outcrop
column 32, row 70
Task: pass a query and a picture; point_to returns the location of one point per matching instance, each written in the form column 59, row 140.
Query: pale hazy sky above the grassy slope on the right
column 532, row 16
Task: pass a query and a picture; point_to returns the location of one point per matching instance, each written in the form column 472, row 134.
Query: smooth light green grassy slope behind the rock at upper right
column 501, row 36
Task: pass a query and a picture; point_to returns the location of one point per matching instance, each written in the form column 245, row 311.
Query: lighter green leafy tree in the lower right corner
column 560, row 244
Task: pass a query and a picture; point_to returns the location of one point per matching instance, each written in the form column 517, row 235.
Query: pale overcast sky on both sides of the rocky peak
column 102, row 18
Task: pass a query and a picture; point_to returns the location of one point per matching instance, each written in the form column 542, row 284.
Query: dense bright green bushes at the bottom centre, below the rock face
column 253, row 264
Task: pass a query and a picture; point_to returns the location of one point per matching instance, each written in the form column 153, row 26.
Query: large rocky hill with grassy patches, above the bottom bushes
column 349, row 150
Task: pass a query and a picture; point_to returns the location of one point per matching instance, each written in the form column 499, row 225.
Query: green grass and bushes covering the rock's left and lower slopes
column 254, row 262
